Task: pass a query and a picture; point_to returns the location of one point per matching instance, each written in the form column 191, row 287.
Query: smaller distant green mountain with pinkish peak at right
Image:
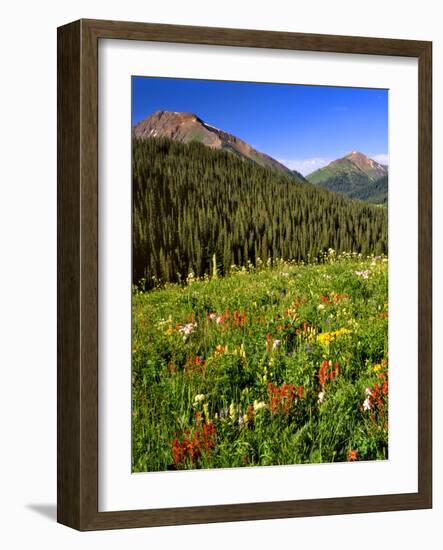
column 356, row 176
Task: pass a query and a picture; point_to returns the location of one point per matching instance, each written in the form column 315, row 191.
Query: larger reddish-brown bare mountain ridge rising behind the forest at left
column 188, row 127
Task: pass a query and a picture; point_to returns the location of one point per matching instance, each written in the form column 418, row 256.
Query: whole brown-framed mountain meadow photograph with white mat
column 244, row 275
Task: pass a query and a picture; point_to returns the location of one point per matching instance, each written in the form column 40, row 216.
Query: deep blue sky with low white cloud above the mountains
column 305, row 127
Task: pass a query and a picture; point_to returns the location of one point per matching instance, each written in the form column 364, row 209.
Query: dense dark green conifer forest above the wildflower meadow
column 191, row 202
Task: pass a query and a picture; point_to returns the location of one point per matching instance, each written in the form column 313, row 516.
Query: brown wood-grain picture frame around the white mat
column 77, row 456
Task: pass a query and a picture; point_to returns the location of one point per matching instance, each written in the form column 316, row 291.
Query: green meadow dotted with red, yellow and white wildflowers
column 232, row 362
